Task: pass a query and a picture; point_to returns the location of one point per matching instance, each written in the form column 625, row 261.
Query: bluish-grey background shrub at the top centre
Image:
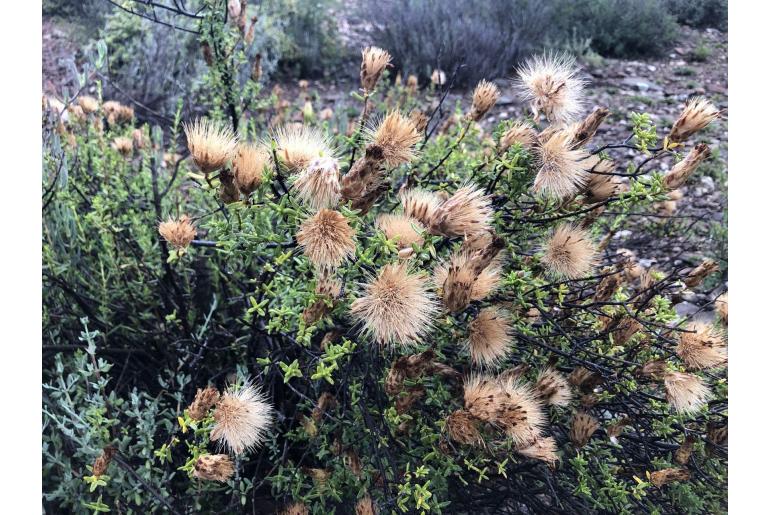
column 487, row 37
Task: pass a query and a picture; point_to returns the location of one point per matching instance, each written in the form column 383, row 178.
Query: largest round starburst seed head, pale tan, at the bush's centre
column 396, row 306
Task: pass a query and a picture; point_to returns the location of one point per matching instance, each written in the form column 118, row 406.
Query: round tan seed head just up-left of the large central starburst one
column 327, row 238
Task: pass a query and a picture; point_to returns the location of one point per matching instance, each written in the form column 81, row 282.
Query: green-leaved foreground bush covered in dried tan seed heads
column 435, row 309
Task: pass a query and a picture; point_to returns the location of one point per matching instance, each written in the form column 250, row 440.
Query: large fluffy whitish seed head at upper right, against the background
column 552, row 86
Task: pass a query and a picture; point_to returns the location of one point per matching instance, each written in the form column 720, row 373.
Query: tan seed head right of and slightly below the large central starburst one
column 490, row 337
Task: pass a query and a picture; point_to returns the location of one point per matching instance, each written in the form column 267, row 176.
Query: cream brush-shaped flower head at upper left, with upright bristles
column 211, row 144
